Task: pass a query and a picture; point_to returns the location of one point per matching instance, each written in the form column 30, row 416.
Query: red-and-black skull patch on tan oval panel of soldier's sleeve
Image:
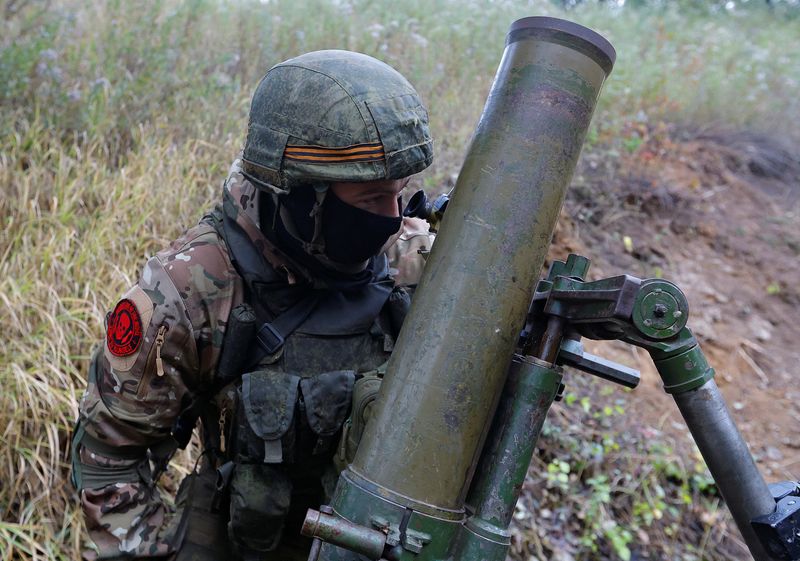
column 126, row 328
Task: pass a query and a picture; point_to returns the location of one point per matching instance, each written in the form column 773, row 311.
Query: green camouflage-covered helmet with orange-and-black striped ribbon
column 334, row 116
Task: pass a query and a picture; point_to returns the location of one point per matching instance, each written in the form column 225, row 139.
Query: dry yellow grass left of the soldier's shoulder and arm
column 66, row 256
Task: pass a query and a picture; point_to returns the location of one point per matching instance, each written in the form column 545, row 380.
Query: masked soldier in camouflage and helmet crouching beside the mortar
column 258, row 322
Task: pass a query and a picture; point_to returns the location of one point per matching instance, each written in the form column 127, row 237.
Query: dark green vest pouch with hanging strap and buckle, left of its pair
column 266, row 417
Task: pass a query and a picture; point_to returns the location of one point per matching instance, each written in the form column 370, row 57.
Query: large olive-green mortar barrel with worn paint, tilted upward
column 449, row 365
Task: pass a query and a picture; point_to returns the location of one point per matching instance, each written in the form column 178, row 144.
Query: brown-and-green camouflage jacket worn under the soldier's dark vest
column 163, row 343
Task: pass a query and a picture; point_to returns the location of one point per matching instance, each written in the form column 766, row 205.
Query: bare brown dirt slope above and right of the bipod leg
column 719, row 214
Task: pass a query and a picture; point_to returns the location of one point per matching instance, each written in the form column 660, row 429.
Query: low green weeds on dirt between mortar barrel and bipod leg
column 604, row 487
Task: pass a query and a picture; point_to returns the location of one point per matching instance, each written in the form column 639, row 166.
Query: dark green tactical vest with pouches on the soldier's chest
column 291, row 357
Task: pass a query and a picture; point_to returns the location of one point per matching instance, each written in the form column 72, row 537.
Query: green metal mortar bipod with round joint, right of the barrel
column 652, row 314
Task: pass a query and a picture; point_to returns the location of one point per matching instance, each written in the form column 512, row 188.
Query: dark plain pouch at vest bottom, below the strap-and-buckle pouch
column 260, row 497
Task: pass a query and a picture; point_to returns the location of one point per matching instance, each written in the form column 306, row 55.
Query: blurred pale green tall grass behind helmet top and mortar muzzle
column 99, row 70
